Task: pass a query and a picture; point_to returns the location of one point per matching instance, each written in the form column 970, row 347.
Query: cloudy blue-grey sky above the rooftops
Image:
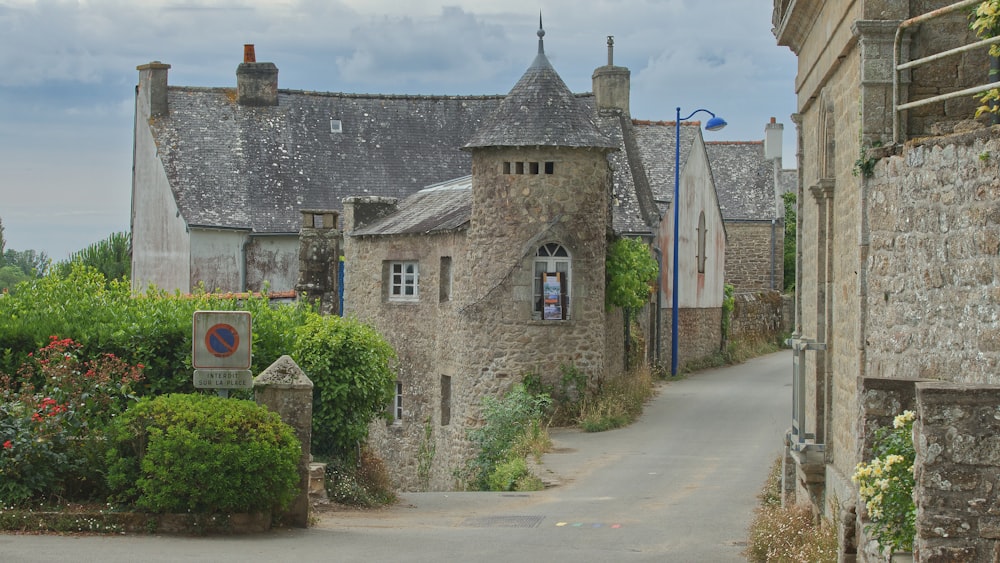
column 67, row 75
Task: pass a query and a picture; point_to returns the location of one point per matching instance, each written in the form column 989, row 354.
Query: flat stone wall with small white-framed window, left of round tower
column 424, row 356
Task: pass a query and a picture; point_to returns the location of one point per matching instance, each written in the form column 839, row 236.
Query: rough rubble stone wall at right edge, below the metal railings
column 934, row 289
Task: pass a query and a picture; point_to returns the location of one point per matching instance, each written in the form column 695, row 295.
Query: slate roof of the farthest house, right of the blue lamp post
column 744, row 180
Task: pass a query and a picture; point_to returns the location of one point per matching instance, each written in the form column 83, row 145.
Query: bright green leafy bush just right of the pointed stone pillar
column 349, row 365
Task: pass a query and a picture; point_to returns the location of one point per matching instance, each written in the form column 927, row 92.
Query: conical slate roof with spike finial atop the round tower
column 540, row 111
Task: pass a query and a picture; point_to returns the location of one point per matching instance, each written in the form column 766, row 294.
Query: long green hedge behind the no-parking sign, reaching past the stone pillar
column 348, row 362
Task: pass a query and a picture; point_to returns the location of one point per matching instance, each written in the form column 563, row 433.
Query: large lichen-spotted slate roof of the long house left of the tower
column 254, row 168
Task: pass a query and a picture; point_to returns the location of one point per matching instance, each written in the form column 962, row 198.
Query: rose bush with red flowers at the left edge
column 53, row 418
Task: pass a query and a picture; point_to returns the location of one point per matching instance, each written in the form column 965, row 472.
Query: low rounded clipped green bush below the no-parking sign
column 202, row 454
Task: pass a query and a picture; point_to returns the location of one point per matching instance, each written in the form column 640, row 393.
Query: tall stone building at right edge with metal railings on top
column 896, row 281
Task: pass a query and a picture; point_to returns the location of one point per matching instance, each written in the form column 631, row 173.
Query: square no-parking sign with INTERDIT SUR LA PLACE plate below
column 221, row 350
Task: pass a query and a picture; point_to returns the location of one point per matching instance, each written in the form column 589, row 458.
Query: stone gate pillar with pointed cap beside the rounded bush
column 284, row 388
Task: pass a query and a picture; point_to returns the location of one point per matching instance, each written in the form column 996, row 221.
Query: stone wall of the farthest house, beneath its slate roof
column 755, row 255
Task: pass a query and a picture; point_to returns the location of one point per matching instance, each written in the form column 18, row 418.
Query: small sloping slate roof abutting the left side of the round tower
column 441, row 208
